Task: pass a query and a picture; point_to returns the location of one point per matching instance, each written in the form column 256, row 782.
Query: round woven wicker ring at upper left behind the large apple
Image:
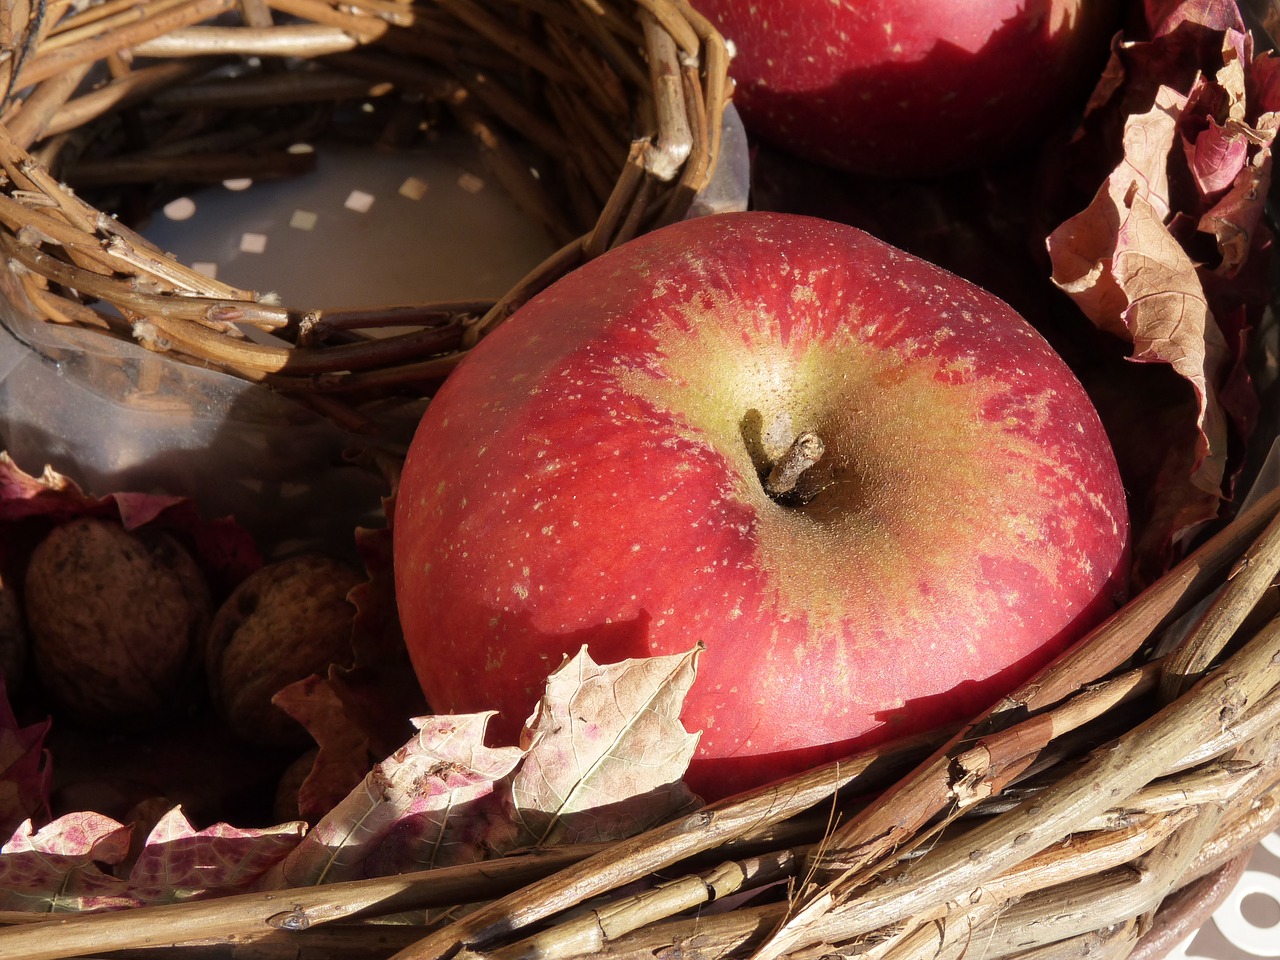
column 616, row 104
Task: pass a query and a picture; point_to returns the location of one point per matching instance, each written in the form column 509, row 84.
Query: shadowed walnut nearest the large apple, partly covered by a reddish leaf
column 285, row 623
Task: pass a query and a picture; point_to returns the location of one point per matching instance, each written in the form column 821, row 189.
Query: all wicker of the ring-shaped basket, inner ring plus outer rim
column 1098, row 811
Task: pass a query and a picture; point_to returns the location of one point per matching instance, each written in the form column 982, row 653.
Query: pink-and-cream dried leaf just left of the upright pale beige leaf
column 429, row 804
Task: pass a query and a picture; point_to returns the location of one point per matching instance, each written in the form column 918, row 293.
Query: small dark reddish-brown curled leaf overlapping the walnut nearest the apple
column 344, row 758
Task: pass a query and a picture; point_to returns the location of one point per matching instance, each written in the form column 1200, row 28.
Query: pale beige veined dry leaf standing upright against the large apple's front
column 607, row 751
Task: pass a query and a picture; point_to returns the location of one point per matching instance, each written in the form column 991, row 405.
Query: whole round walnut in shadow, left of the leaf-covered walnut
column 116, row 619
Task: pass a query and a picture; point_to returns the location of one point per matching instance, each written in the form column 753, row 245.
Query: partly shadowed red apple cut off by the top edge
column 911, row 88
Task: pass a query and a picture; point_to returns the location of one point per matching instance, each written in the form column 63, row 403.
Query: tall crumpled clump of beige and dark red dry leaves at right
column 1169, row 252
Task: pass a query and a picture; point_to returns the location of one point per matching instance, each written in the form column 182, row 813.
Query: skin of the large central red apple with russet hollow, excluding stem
column 591, row 474
